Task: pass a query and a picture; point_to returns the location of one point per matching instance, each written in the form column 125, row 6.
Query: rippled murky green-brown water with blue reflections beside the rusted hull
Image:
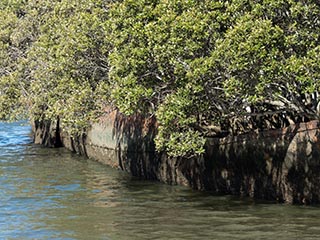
column 54, row 194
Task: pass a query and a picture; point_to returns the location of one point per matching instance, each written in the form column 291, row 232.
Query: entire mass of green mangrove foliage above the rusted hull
column 202, row 68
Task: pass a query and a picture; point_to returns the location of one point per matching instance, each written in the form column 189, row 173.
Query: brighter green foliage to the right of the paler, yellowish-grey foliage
column 198, row 65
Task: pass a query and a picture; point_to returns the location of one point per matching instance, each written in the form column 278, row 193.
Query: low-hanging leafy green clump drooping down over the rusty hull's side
column 176, row 115
